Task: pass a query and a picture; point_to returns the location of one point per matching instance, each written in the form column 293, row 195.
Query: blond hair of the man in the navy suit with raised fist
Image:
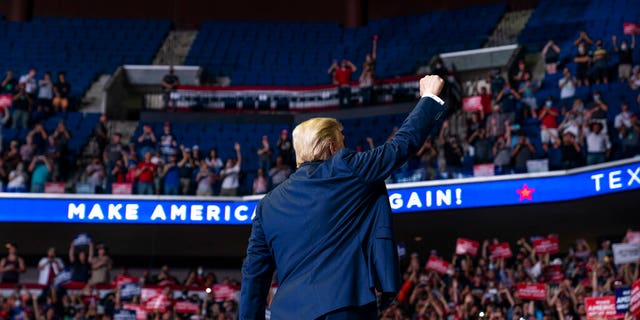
column 312, row 139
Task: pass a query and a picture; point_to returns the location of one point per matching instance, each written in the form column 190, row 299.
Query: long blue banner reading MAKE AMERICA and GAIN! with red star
column 404, row 198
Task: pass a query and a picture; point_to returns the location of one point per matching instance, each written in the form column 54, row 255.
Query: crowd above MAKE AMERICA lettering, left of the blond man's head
column 162, row 165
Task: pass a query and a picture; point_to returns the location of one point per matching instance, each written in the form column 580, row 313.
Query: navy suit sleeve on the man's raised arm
column 377, row 164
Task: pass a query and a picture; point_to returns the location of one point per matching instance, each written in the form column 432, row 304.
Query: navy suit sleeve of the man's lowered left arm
column 257, row 272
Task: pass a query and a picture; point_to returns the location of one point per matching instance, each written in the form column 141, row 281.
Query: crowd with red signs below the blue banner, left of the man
column 69, row 289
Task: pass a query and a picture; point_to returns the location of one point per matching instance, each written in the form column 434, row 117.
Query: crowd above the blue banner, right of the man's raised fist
column 513, row 127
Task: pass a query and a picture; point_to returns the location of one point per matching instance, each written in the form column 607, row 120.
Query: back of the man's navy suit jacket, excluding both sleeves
column 321, row 224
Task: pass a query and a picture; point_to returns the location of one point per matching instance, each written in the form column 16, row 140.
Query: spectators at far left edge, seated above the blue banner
column 42, row 157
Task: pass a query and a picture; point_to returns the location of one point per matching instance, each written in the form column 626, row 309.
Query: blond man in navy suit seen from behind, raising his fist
column 328, row 228
